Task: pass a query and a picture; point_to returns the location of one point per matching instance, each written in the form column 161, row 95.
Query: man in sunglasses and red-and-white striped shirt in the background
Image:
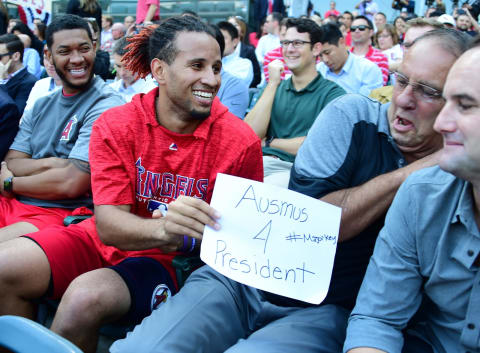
column 362, row 32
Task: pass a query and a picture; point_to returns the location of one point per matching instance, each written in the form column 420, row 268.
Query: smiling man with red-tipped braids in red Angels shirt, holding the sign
column 162, row 150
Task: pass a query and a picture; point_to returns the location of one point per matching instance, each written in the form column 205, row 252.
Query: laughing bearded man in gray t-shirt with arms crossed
column 46, row 175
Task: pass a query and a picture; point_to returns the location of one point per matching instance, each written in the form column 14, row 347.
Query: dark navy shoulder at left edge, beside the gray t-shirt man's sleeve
column 9, row 119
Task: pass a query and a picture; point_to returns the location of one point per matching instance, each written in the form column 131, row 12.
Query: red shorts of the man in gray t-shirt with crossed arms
column 13, row 211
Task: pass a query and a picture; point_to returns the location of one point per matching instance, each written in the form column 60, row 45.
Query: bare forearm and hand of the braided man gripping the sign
column 186, row 216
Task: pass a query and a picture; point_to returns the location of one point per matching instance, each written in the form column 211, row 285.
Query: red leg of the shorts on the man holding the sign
column 71, row 251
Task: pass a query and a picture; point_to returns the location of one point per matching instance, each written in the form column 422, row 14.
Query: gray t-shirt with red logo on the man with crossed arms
column 60, row 126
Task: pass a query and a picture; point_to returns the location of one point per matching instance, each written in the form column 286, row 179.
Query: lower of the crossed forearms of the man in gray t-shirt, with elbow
column 68, row 182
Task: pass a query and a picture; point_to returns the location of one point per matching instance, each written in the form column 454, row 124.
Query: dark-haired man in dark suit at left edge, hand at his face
column 15, row 79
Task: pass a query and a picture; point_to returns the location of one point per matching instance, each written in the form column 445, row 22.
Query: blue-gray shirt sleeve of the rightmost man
column 391, row 290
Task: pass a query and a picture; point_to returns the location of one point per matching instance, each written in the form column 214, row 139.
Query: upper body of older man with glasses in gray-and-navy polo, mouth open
column 359, row 151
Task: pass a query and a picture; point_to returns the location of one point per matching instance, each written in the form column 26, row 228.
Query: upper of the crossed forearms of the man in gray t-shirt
column 22, row 164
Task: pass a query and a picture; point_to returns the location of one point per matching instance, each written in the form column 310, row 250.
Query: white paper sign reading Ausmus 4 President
column 272, row 238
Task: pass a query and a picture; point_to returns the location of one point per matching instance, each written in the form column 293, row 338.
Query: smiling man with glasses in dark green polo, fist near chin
column 287, row 109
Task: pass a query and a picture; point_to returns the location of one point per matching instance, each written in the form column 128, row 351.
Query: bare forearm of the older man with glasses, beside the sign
column 362, row 205
